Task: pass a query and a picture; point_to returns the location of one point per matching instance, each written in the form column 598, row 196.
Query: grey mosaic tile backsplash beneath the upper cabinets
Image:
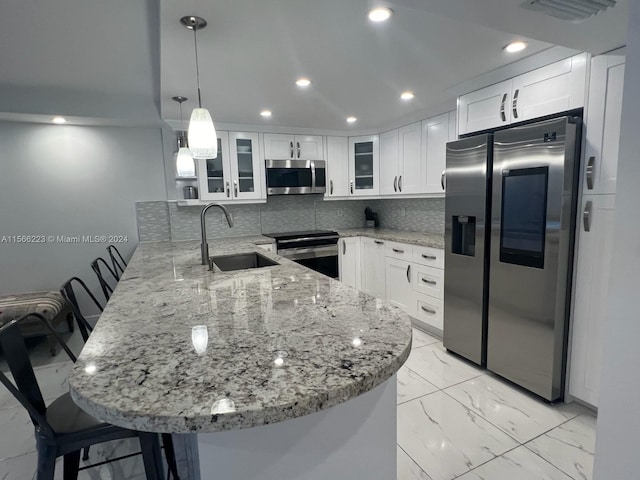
column 163, row 221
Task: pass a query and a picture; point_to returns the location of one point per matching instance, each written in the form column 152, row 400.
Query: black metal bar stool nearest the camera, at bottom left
column 62, row 429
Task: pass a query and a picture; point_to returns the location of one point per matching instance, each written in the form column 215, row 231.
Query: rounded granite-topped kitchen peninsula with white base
column 286, row 346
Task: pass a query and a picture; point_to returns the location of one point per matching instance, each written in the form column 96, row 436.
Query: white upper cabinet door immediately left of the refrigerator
column 435, row 135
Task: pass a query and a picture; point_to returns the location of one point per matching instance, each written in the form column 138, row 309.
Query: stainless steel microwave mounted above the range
column 296, row 177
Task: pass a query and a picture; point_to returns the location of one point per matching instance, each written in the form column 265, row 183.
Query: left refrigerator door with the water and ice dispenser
column 465, row 266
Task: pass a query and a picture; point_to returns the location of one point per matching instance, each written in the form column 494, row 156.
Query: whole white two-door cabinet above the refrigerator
column 551, row 89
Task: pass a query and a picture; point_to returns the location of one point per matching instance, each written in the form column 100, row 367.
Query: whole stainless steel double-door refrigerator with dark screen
column 509, row 235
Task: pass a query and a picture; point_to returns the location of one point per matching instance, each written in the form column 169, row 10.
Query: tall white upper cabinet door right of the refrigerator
column 602, row 124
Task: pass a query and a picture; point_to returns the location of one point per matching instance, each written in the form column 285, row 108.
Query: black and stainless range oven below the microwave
column 315, row 249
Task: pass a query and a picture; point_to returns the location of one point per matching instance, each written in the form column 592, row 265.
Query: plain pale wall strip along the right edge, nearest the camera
column 618, row 430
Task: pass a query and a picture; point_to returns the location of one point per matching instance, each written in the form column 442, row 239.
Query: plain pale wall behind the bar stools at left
column 71, row 180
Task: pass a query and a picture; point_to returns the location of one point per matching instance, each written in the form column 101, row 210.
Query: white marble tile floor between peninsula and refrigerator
column 456, row 421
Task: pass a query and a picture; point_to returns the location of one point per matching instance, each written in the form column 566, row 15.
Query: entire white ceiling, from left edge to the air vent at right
column 123, row 59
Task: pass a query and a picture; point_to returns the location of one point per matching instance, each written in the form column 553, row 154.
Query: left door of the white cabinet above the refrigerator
column 485, row 108
